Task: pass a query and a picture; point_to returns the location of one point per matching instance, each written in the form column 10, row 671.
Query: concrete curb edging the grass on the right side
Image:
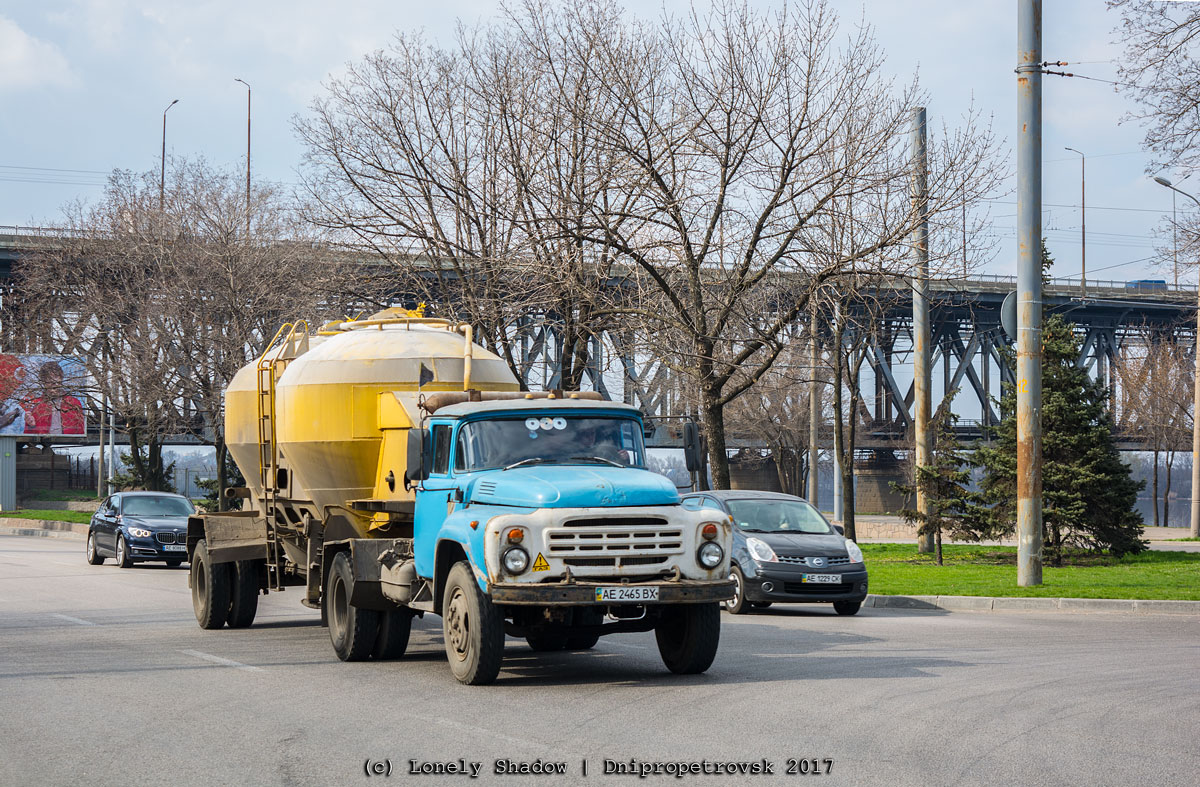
column 992, row 604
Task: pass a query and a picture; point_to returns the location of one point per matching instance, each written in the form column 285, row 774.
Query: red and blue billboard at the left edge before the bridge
column 41, row 395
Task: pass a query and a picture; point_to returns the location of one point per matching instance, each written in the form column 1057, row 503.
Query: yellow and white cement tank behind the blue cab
column 338, row 406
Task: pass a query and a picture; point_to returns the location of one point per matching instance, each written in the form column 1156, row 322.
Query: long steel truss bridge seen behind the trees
column 968, row 341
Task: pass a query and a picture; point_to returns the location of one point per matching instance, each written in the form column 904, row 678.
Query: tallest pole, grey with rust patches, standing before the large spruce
column 1029, row 293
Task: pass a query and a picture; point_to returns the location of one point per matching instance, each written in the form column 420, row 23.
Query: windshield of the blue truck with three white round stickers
column 561, row 440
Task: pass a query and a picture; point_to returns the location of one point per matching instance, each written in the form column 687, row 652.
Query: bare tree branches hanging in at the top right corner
column 1162, row 74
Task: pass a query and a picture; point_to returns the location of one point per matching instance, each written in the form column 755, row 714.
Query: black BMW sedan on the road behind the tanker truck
column 134, row 527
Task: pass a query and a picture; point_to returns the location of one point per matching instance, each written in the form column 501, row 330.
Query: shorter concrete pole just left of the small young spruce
column 921, row 377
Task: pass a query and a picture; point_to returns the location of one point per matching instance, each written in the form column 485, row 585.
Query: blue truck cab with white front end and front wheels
column 538, row 518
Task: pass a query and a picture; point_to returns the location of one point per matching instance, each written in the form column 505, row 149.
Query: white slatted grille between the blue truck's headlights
column 634, row 542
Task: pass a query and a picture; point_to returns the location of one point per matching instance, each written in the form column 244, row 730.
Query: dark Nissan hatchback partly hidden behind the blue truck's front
column 785, row 551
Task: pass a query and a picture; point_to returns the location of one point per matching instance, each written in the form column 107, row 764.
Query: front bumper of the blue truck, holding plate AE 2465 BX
column 562, row 594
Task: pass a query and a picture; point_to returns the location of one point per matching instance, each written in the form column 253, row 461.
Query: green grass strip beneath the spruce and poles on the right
column 897, row 569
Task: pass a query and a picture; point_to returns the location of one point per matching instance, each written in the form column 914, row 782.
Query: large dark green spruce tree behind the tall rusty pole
column 1088, row 494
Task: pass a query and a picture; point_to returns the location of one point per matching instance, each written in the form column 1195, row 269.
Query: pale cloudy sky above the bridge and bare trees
column 83, row 86
